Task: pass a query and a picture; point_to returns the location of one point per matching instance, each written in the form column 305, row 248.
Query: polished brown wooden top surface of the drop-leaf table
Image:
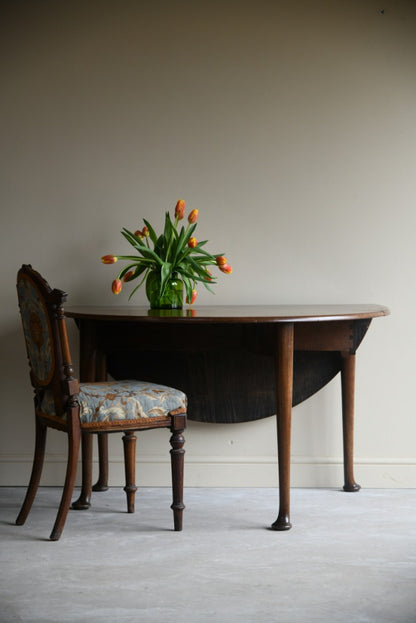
column 229, row 313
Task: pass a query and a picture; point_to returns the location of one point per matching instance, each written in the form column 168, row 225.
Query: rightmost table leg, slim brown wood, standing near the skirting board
column 348, row 390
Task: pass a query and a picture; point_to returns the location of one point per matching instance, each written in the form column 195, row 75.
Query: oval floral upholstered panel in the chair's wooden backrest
column 37, row 331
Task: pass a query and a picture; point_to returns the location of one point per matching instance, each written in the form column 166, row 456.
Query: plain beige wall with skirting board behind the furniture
column 291, row 126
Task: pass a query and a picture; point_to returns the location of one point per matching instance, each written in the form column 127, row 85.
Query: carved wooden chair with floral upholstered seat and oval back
column 81, row 409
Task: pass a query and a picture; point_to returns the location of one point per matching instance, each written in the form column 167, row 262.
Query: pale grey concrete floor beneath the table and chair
column 350, row 557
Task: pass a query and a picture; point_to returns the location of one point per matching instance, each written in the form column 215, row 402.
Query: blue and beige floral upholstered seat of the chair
column 122, row 400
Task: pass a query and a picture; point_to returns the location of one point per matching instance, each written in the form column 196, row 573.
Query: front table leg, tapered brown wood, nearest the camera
column 284, row 392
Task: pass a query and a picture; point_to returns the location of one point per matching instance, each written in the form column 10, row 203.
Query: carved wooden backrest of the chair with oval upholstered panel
column 43, row 320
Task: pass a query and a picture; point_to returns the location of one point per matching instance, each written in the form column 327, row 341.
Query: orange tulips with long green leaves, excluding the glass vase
column 176, row 253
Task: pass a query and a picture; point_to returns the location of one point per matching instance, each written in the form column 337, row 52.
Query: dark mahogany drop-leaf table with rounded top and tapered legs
column 235, row 363
